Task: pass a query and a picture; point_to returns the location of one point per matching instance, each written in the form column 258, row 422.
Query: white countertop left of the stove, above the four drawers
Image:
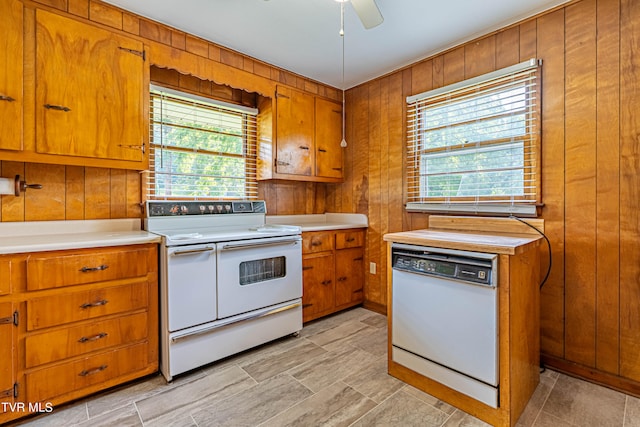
column 38, row 236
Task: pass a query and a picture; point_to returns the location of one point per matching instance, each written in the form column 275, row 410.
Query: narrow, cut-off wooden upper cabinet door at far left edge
column 11, row 74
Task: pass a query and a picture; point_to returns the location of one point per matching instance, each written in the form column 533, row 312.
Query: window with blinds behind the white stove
column 200, row 148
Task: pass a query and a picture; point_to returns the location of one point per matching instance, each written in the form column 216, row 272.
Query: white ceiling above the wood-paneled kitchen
column 302, row 36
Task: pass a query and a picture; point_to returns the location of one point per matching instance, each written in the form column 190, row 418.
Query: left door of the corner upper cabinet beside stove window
column 294, row 132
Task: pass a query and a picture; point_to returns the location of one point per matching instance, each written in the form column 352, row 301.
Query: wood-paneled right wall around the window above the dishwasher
column 590, row 316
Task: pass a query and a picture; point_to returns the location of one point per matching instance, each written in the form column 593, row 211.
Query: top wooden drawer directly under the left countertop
column 56, row 269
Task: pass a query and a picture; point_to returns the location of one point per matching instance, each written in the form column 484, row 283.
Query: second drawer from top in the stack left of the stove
column 74, row 306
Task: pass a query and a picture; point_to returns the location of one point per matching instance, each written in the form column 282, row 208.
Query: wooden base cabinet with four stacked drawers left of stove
column 87, row 321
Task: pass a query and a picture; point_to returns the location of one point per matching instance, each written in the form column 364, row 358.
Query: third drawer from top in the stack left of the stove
column 68, row 342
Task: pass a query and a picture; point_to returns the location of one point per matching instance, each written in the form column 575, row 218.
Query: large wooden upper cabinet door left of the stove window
column 89, row 90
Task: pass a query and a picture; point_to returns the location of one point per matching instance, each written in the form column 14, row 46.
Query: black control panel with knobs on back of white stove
column 201, row 207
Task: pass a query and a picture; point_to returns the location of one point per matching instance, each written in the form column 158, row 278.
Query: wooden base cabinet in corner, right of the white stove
column 333, row 271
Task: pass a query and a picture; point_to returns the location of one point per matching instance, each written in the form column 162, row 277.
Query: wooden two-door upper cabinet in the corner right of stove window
column 305, row 145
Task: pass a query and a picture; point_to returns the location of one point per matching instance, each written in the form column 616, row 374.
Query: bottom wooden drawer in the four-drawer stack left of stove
column 46, row 384
